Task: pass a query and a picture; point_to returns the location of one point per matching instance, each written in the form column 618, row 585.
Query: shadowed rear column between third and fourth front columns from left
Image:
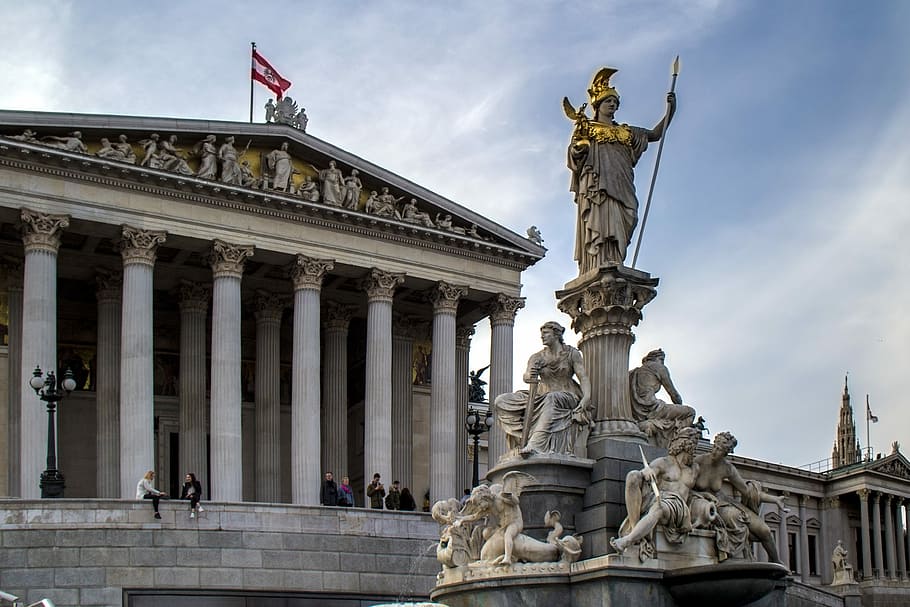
column 269, row 309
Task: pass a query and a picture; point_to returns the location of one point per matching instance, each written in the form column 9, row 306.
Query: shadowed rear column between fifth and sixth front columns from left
column 402, row 399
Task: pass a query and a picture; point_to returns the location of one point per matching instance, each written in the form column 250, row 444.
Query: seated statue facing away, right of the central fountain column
column 656, row 418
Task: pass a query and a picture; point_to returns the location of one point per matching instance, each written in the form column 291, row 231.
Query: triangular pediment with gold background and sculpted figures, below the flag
column 433, row 220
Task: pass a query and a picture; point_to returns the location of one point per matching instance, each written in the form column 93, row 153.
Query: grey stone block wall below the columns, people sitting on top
column 90, row 552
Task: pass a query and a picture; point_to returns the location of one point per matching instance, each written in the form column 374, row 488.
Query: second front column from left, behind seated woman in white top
column 137, row 406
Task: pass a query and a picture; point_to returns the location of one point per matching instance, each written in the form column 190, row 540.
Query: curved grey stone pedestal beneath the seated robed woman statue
column 561, row 483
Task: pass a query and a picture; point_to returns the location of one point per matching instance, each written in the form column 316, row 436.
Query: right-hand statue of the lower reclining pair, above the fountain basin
column 738, row 522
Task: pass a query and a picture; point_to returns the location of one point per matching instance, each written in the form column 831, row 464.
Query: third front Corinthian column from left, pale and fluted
column 227, row 262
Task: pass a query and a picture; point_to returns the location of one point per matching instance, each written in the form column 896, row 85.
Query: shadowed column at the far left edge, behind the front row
column 13, row 270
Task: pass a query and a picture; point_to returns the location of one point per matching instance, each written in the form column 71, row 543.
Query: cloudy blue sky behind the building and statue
column 781, row 209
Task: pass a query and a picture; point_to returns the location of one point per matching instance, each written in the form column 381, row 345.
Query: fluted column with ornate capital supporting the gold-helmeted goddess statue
column 604, row 307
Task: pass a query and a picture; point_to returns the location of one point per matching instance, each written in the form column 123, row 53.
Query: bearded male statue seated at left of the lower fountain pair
column 658, row 494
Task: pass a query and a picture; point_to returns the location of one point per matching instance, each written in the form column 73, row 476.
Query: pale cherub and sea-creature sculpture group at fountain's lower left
column 492, row 515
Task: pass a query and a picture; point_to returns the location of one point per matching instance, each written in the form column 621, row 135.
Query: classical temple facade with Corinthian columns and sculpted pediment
column 256, row 314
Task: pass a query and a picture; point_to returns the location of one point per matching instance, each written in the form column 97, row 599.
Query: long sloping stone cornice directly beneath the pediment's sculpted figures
column 108, row 173
